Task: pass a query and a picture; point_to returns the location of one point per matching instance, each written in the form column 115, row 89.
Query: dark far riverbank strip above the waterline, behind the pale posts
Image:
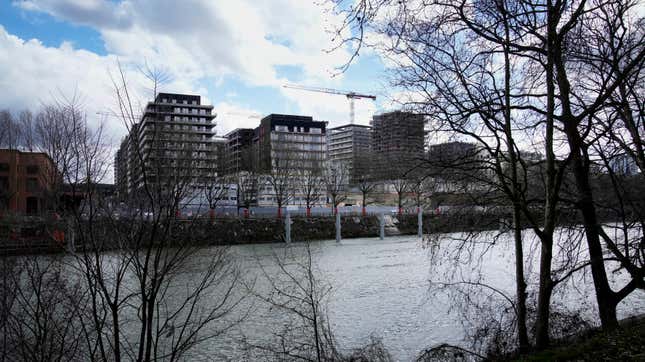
column 40, row 236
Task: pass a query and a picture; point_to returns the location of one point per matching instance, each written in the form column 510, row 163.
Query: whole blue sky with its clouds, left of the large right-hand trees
column 236, row 54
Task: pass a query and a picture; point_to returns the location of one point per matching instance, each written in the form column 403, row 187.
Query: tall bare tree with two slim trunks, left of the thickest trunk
column 454, row 59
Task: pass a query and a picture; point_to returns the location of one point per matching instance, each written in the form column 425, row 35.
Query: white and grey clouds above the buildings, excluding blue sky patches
column 193, row 41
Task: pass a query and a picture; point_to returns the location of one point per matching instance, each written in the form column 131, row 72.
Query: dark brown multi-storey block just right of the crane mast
column 397, row 139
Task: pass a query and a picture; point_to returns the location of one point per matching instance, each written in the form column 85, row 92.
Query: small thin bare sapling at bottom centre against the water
column 298, row 290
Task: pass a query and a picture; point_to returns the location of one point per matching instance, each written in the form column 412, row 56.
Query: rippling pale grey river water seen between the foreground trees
column 381, row 288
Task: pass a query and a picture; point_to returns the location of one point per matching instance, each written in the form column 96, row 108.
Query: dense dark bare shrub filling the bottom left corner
column 41, row 319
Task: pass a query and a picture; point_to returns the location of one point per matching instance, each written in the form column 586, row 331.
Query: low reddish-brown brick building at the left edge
column 26, row 181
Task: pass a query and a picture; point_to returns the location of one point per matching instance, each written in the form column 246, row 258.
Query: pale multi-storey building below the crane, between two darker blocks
column 350, row 145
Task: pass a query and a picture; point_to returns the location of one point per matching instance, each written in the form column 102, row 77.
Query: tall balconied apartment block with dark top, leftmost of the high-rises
column 173, row 141
